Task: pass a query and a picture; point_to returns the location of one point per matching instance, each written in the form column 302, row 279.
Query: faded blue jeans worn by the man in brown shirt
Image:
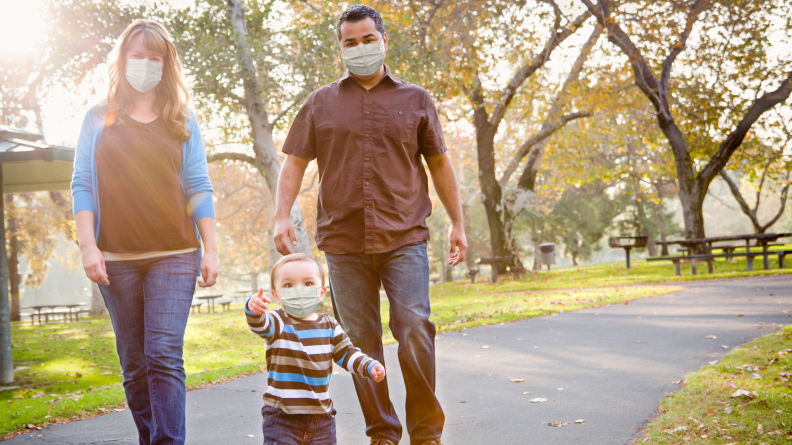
column 355, row 283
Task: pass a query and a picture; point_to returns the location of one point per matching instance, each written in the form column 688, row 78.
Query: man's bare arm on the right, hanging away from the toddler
column 444, row 178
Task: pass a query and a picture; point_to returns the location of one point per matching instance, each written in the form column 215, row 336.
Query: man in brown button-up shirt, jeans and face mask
column 368, row 132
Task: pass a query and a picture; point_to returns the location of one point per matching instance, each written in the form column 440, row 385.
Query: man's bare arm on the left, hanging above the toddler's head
column 289, row 183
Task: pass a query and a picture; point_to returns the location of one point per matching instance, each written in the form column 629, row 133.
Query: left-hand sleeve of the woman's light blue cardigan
column 82, row 178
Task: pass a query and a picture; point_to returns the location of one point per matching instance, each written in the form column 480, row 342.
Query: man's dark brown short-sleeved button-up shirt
column 373, row 189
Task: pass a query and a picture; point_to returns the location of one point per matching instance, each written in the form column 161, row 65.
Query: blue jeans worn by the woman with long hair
column 149, row 302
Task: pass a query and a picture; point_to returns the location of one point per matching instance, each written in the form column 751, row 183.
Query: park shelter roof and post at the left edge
column 26, row 165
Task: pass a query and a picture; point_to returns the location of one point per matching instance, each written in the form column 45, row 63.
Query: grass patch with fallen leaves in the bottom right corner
column 704, row 411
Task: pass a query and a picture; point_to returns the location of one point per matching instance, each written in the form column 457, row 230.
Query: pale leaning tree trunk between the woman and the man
column 260, row 126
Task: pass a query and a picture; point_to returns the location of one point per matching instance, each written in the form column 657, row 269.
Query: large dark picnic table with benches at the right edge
column 761, row 239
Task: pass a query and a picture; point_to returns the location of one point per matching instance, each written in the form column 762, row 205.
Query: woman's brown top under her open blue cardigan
column 141, row 200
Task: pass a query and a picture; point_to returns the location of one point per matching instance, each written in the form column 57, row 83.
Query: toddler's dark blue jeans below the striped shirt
column 297, row 429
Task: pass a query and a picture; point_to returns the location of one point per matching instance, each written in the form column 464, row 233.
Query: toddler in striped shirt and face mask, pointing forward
column 301, row 346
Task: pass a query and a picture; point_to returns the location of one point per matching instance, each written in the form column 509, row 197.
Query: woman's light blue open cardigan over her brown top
column 193, row 174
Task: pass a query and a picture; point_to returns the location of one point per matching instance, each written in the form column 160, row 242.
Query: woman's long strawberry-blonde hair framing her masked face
column 172, row 93
